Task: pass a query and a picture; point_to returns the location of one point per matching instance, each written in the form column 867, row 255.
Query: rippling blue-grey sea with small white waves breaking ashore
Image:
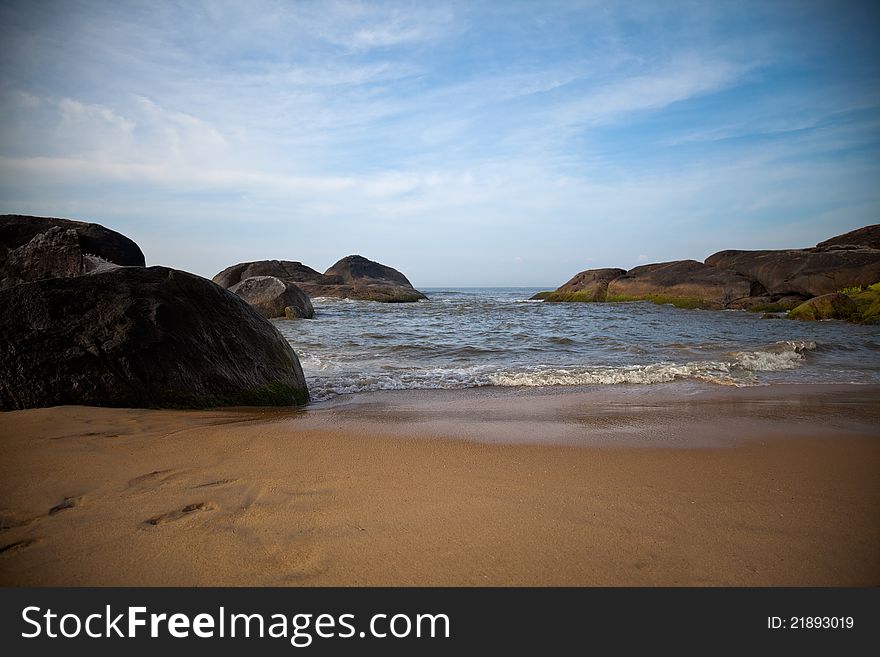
column 473, row 337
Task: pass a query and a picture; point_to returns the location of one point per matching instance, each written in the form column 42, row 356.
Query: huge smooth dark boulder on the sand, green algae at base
column 140, row 337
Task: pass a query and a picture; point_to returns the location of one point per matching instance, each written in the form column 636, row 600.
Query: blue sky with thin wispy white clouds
column 503, row 143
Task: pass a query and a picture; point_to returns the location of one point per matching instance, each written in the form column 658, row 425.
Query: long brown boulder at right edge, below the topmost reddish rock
column 802, row 272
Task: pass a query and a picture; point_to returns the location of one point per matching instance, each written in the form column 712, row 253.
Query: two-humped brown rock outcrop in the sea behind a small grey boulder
column 353, row 277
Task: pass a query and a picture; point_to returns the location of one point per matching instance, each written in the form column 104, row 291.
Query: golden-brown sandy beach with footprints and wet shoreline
column 661, row 485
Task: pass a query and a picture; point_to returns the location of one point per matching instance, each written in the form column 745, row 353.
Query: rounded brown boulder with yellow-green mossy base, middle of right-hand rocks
column 685, row 283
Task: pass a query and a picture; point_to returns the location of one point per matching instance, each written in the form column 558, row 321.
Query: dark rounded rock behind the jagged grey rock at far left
column 17, row 230
